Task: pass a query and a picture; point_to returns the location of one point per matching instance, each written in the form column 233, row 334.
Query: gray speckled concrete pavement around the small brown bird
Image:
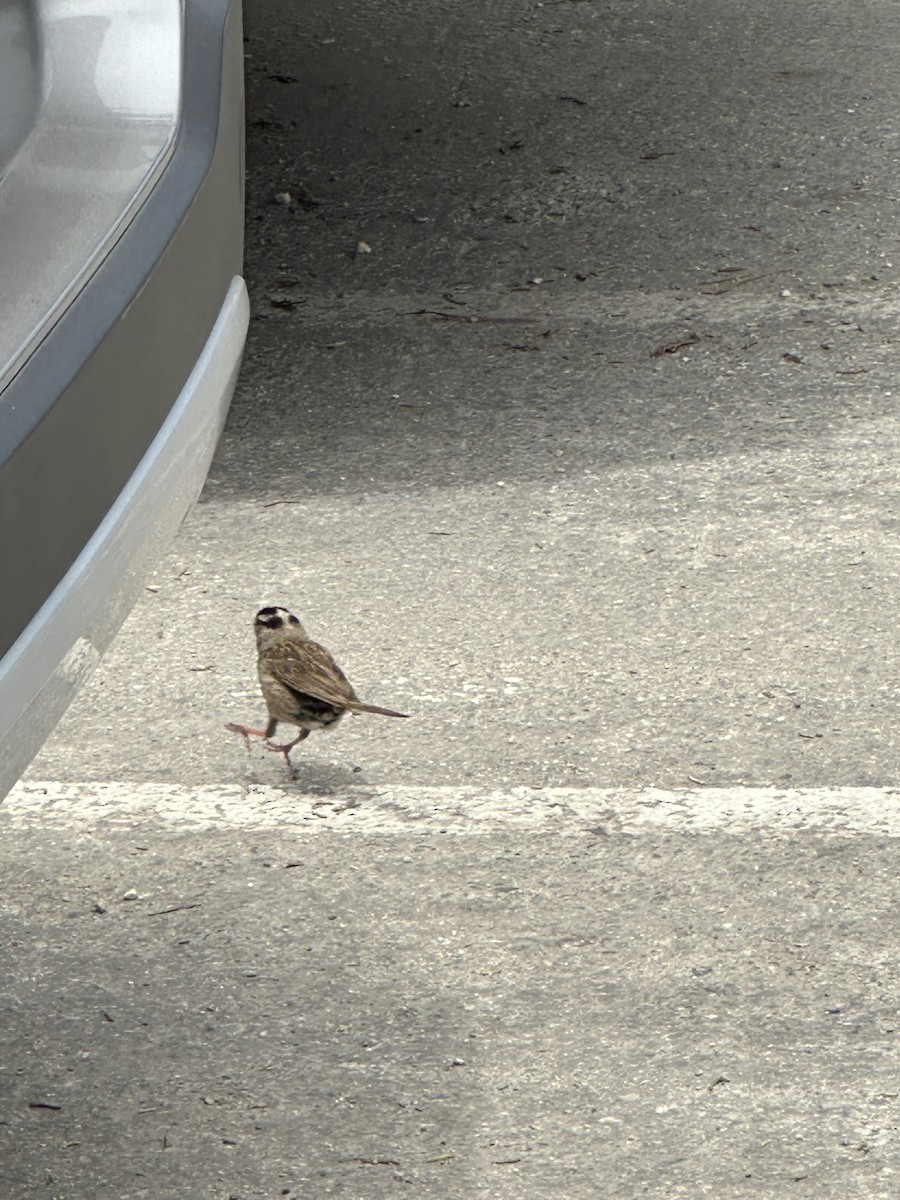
column 568, row 423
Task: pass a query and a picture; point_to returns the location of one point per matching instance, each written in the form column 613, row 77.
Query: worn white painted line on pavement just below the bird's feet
column 776, row 813
